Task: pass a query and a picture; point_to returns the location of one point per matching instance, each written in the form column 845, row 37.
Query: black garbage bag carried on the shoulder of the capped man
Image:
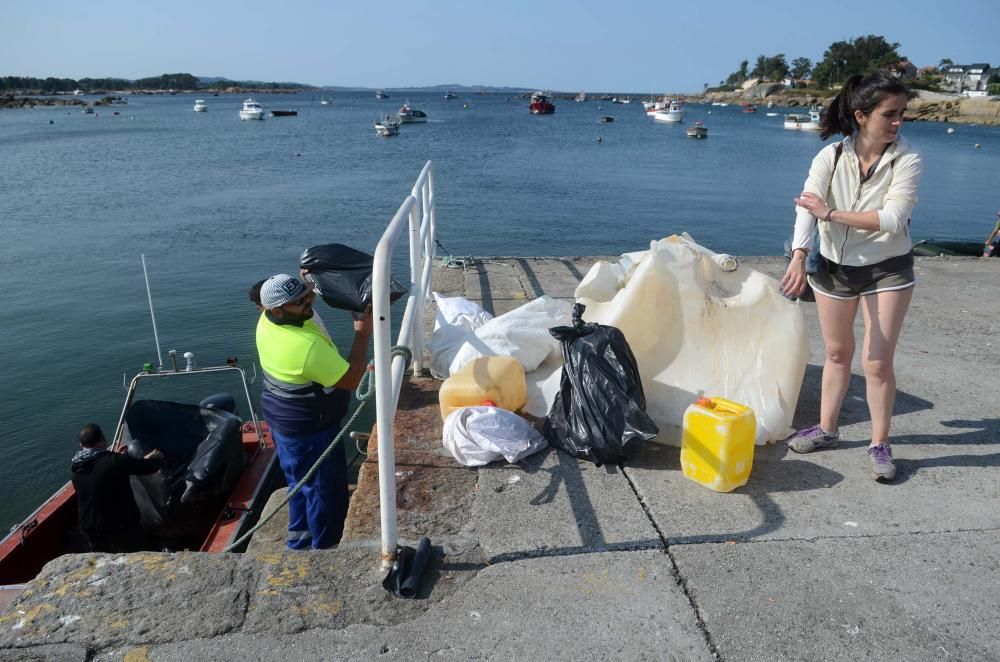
column 343, row 276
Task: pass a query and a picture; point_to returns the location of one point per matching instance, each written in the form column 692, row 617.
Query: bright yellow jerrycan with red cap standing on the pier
column 717, row 443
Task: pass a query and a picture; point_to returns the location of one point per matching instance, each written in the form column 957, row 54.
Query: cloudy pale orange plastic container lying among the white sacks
column 495, row 380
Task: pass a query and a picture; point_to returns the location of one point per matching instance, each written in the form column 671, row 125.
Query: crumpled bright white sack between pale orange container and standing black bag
column 523, row 333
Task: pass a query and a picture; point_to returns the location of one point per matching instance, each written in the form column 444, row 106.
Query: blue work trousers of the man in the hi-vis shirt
column 316, row 514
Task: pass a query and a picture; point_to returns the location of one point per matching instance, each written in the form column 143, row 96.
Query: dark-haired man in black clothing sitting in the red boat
column 109, row 517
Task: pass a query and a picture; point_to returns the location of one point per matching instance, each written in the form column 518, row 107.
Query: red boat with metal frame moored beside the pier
column 218, row 472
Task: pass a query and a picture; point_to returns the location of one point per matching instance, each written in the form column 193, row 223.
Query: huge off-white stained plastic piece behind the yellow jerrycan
column 697, row 330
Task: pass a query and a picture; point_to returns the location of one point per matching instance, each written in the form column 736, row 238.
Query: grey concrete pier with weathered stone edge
column 559, row 559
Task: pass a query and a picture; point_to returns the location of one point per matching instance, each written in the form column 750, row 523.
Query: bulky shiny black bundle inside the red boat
column 203, row 460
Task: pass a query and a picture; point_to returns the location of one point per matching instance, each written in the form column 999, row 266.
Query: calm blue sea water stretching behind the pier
column 216, row 204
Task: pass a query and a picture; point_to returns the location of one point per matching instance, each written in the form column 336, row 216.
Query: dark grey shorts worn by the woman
column 841, row 281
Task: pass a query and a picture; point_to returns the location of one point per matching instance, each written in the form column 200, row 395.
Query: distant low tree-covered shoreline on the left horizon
column 163, row 82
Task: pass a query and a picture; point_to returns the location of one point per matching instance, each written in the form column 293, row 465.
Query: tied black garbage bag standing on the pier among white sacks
column 599, row 413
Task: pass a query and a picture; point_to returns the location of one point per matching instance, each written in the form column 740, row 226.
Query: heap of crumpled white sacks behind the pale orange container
column 523, row 333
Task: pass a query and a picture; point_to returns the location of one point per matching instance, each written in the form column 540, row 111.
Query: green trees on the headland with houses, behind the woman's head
column 841, row 60
